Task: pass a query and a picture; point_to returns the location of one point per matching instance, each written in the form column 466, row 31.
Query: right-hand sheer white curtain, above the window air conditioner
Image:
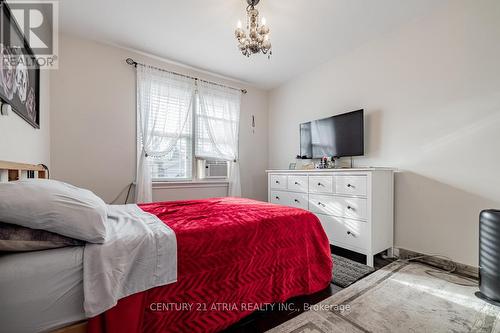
column 217, row 128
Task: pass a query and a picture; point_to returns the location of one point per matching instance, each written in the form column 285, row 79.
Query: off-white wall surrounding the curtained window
column 94, row 123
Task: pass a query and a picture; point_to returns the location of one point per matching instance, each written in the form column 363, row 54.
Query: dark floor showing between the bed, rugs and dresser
column 262, row 321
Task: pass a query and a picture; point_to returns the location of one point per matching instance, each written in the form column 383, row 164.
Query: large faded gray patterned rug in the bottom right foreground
column 400, row 297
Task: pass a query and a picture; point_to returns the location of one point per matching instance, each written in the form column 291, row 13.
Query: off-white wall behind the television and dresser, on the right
column 431, row 93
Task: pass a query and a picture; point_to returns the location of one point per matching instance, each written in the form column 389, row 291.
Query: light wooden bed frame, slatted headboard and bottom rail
column 11, row 171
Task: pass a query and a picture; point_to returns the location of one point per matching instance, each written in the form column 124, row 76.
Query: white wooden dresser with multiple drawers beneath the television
column 355, row 206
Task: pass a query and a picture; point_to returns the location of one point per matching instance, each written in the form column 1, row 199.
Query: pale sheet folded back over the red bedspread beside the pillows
column 140, row 253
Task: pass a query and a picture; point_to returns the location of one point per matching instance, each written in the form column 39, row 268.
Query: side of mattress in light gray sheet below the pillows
column 41, row 290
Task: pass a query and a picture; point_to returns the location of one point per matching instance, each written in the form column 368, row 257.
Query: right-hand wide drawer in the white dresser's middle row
column 354, row 208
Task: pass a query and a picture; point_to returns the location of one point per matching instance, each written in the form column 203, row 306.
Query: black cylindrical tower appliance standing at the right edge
column 489, row 256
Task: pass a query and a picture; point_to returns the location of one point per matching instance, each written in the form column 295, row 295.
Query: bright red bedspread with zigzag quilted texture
column 233, row 254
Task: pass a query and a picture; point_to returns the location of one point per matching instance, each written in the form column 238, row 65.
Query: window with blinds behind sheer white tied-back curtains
column 182, row 122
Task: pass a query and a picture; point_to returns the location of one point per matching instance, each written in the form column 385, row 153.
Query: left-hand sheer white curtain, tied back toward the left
column 163, row 109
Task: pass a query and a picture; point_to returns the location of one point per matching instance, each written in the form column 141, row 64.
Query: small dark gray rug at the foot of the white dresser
column 345, row 271
